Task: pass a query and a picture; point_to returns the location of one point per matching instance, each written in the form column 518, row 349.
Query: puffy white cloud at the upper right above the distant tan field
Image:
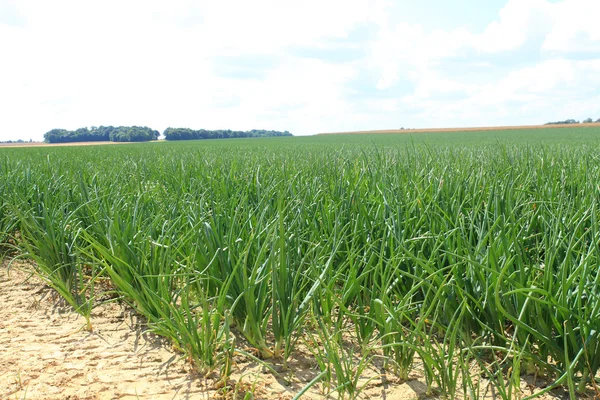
column 546, row 32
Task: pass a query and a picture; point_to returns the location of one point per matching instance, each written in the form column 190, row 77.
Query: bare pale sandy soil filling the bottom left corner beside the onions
column 45, row 354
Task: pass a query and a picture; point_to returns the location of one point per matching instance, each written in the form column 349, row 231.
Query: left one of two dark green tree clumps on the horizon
column 102, row 134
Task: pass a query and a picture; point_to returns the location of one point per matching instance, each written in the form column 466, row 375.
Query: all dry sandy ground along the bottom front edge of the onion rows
column 46, row 354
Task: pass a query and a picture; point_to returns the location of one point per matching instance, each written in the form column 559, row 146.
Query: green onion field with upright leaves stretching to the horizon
column 471, row 259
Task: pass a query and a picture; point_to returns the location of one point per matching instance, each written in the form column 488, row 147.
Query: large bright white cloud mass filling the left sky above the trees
column 148, row 62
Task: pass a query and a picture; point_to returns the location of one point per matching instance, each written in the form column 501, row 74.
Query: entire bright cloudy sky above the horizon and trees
column 306, row 66
